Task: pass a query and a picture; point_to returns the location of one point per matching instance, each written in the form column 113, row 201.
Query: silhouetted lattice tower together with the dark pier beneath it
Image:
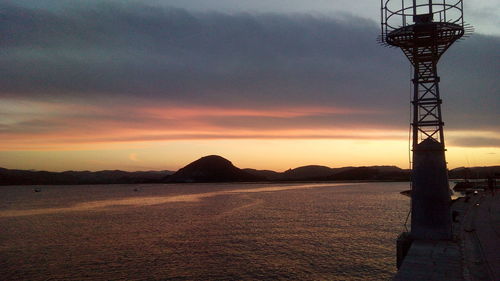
column 436, row 248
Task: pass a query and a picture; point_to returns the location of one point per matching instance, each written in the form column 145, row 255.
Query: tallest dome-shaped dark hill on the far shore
column 212, row 168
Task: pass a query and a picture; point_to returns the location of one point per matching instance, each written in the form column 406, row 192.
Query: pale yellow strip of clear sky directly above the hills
column 269, row 154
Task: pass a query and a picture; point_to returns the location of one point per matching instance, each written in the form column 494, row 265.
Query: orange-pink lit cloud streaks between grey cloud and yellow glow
column 61, row 126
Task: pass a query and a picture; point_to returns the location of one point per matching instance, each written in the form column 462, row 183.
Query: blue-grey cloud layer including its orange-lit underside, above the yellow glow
column 142, row 68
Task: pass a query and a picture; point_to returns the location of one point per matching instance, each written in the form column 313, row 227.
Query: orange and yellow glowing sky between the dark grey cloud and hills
column 74, row 135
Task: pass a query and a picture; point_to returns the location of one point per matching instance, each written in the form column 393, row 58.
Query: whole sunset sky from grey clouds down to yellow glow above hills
column 275, row 84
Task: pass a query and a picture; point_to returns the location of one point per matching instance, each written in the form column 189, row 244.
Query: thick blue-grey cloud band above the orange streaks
column 132, row 53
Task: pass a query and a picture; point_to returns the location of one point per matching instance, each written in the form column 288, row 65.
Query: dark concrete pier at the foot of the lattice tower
column 472, row 255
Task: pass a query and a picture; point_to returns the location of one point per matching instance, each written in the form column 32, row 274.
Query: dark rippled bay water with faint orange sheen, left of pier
column 201, row 232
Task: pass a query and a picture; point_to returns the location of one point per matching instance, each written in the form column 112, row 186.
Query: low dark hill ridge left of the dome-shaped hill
column 29, row 177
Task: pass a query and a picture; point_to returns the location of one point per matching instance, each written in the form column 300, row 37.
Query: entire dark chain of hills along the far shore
column 215, row 168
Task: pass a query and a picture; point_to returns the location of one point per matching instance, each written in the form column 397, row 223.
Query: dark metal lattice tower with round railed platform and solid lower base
column 424, row 30
